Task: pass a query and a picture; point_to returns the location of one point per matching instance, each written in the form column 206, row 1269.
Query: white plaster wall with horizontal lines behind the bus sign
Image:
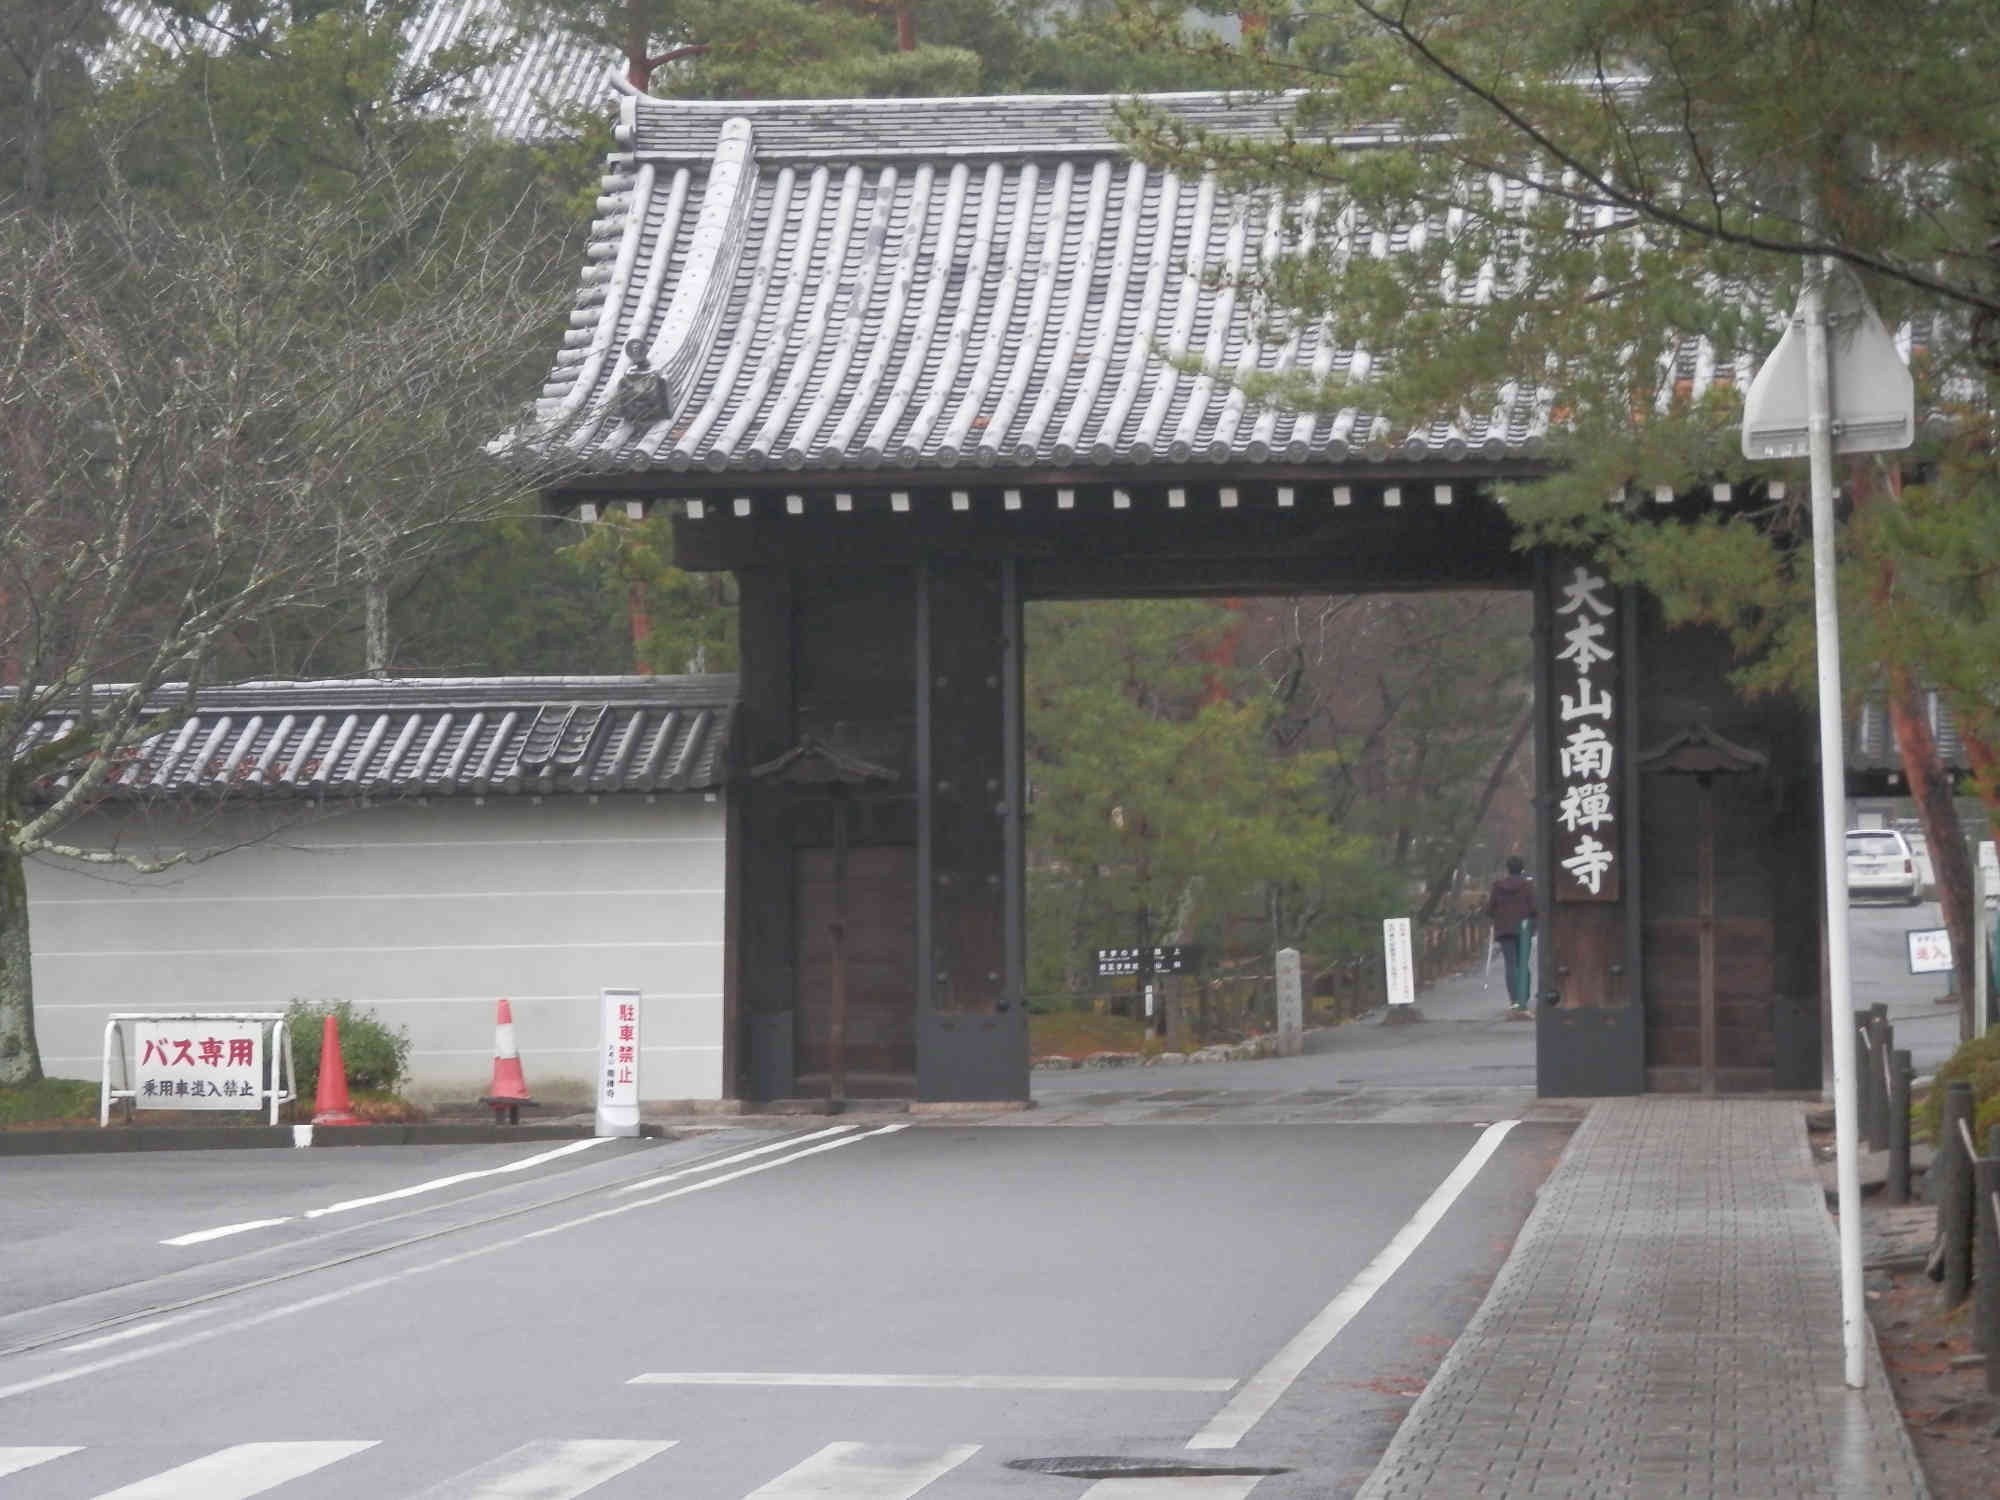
column 421, row 913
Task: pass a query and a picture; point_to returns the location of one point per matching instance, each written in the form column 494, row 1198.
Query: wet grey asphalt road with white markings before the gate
column 875, row 1313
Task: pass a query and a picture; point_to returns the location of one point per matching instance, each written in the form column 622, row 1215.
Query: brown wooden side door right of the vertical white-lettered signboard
column 1709, row 935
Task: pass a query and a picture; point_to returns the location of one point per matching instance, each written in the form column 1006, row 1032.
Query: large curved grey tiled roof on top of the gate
column 921, row 285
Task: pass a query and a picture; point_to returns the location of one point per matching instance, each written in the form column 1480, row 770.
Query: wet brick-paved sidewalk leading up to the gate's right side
column 1669, row 1325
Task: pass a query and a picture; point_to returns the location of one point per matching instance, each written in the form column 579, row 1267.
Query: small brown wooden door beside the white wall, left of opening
column 879, row 973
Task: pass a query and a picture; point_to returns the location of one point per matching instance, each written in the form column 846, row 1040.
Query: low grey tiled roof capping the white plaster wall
column 433, row 737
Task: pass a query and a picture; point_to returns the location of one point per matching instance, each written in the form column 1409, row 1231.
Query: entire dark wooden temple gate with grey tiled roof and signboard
column 909, row 365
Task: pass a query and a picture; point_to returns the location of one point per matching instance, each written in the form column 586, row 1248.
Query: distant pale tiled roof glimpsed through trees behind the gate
column 547, row 73
